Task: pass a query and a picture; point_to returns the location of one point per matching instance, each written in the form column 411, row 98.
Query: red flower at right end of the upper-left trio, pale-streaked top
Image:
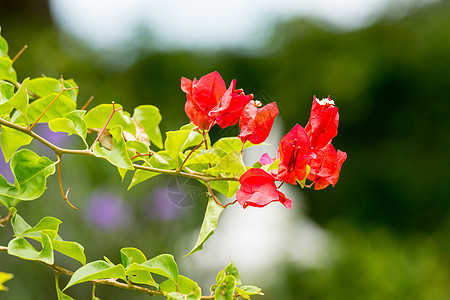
column 256, row 123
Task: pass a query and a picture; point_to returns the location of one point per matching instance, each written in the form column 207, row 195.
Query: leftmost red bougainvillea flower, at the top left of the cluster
column 202, row 96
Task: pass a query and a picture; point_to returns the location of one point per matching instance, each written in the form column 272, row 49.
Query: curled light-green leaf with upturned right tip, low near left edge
column 20, row 247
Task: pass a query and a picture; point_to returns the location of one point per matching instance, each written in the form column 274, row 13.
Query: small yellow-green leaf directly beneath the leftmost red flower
column 178, row 141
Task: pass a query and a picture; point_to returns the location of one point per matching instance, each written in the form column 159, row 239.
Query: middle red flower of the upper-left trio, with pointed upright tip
column 230, row 106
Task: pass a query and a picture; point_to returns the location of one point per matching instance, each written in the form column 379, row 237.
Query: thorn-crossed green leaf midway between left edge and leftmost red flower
column 99, row 115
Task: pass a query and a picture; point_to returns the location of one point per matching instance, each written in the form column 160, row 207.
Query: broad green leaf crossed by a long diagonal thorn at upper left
column 59, row 109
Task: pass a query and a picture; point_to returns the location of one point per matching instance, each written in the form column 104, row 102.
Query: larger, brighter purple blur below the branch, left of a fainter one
column 107, row 211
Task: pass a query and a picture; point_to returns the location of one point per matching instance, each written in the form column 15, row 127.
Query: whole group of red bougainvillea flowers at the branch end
column 303, row 154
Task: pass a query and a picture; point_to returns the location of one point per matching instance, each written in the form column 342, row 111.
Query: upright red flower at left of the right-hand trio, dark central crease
column 295, row 154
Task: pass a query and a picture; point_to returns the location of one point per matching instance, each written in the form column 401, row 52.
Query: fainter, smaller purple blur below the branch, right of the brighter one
column 160, row 206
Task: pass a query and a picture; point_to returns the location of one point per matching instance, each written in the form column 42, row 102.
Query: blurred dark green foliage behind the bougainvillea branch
column 391, row 208
